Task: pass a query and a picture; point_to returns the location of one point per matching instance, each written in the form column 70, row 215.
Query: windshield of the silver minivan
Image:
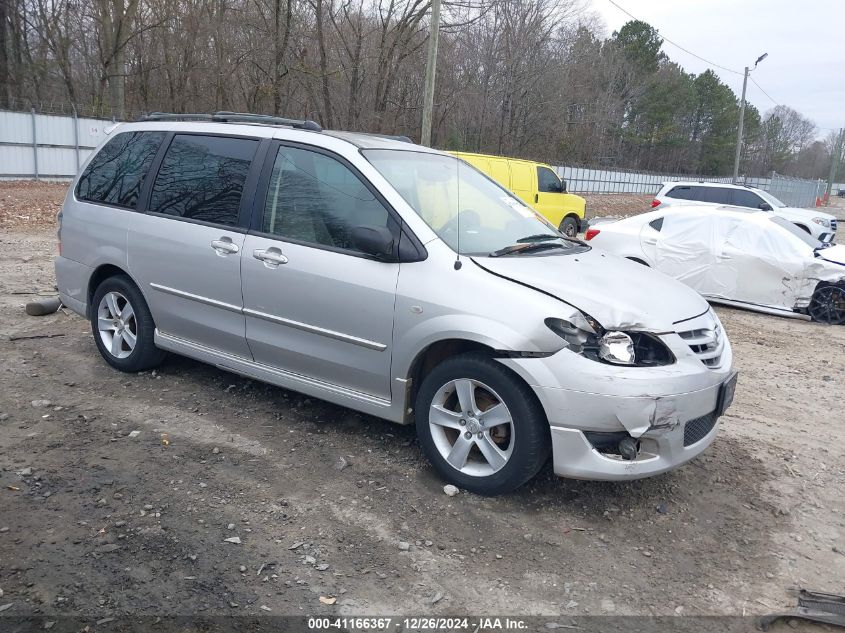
column 491, row 219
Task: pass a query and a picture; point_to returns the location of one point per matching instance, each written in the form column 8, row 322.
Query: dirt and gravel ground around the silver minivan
column 100, row 517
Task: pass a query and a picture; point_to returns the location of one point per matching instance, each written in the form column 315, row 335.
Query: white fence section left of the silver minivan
column 44, row 146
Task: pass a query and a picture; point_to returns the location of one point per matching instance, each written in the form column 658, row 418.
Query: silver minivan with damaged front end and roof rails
column 395, row 280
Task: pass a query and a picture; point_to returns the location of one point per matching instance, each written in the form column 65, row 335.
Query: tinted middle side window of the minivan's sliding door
column 202, row 178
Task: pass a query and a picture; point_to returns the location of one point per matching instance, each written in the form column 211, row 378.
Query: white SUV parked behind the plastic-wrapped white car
column 820, row 225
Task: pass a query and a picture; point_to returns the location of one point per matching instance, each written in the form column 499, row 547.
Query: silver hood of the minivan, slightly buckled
column 619, row 293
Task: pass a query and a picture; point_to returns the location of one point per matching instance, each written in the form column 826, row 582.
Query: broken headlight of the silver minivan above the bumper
column 586, row 337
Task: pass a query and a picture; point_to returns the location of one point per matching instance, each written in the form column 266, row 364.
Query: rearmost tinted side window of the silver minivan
column 115, row 175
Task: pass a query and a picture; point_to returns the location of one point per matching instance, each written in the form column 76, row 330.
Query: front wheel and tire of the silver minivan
column 480, row 425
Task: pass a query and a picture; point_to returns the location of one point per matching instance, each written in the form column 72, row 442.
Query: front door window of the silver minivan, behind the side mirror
column 316, row 199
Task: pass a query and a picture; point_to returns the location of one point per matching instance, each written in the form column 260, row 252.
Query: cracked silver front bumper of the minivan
column 671, row 411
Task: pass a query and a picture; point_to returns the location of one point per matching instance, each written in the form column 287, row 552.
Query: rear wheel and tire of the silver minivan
column 123, row 326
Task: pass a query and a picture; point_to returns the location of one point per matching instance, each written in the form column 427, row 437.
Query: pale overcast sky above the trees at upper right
column 805, row 40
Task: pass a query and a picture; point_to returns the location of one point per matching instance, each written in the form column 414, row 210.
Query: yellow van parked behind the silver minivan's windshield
column 537, row 185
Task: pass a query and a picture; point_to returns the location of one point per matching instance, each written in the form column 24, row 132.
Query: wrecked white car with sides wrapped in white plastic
column 736, row 256
